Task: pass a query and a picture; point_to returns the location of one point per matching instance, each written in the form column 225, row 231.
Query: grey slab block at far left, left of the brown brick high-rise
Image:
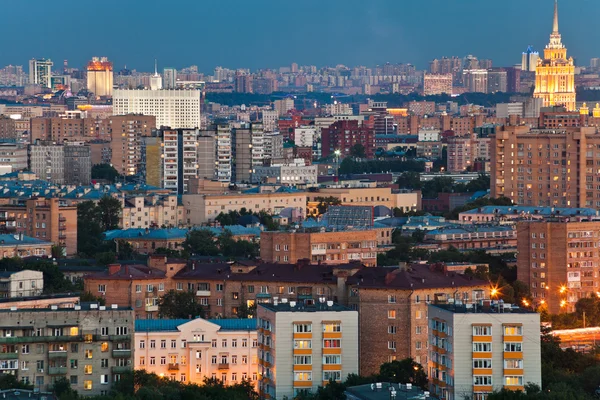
column 68, row 164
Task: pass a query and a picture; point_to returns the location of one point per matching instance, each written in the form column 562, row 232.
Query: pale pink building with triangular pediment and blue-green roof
column 192, row 350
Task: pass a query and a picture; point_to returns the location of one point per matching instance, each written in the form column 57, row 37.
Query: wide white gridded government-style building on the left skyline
column 172, row 108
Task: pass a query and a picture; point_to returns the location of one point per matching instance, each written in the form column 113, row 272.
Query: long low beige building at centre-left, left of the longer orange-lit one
column 204, row 208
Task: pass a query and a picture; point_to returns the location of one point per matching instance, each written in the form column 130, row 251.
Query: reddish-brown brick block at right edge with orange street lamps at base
column 559, row 277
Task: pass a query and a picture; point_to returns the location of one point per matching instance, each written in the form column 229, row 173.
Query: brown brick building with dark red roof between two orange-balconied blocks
column 392, row 305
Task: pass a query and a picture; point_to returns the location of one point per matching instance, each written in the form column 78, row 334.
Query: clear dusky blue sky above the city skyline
column 272, row 33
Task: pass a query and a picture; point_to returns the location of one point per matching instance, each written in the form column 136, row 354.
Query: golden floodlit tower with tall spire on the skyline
column 555, row 73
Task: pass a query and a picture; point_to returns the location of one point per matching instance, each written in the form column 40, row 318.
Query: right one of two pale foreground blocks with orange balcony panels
column 480, row 348
